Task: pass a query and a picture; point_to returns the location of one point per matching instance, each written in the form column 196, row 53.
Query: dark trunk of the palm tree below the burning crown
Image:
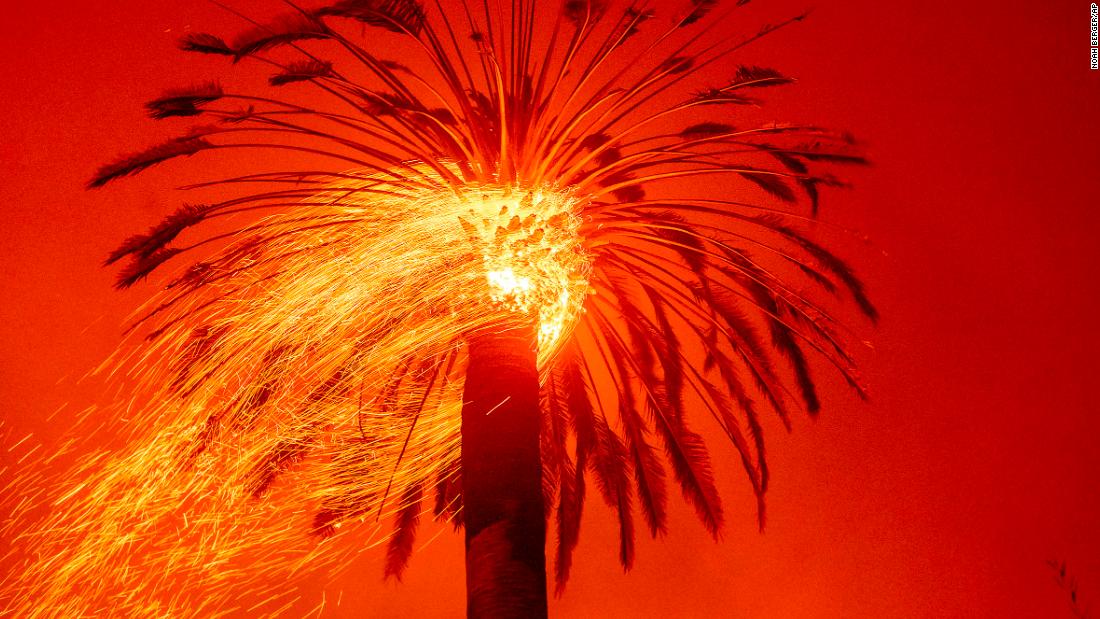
column 502, row 479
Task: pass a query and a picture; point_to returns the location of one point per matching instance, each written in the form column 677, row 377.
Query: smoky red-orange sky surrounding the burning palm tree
column 977, row 460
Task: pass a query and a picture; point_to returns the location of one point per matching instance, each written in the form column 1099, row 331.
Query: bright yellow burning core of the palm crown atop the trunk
column 533, row 253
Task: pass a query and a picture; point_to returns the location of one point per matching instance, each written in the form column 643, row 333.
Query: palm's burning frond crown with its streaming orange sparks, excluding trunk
column 313, row 353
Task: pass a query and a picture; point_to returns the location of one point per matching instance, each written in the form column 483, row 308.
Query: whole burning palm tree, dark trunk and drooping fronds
column 524, row 251
